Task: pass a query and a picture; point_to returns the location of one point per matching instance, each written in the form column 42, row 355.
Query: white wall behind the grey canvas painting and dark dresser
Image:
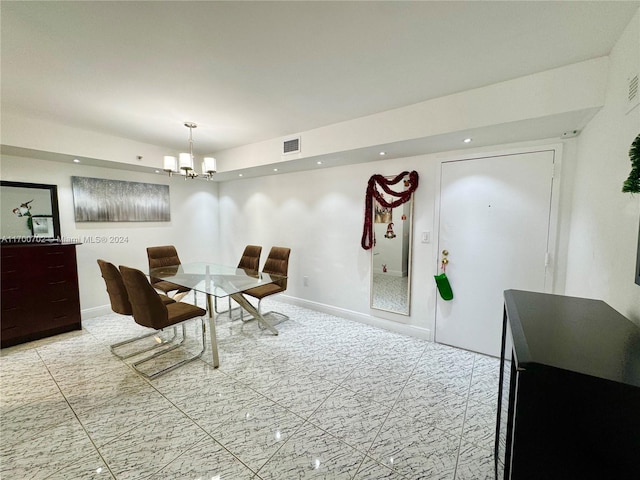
column 193, row 228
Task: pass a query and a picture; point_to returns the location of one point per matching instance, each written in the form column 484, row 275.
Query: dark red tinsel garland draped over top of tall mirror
column 368, row 239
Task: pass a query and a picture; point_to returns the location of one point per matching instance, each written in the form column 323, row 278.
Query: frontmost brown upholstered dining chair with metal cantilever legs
column 149, row 311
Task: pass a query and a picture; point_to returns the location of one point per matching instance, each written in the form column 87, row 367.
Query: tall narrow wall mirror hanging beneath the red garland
column 391, row 258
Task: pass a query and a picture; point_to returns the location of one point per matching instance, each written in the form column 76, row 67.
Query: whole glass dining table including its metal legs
column 219, row 281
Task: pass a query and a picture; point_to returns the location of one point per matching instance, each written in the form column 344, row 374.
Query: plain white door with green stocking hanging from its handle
column 494, row 222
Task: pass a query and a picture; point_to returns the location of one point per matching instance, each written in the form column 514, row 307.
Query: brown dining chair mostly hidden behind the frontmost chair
column 119, row 300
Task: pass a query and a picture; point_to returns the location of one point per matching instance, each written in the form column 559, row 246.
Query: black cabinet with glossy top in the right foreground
column 569, row 396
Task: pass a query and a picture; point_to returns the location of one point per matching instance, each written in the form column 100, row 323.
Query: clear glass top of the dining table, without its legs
column 213, row 279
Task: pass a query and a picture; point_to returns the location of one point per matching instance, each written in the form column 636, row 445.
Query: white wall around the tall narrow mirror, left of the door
column 319, row 215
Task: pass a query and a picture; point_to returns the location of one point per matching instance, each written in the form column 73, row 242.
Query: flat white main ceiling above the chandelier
column 252, row 71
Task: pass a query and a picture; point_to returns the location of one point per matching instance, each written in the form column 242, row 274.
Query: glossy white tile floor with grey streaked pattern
column 326, row 399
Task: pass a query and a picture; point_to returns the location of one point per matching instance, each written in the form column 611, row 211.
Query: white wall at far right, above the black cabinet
column 604, row 226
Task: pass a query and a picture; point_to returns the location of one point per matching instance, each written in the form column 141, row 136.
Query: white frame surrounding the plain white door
column 554, row 209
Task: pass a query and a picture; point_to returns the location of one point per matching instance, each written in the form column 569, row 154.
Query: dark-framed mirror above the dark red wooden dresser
column 28, row 212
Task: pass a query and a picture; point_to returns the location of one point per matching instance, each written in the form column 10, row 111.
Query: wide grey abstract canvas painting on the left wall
column 104, row 200
